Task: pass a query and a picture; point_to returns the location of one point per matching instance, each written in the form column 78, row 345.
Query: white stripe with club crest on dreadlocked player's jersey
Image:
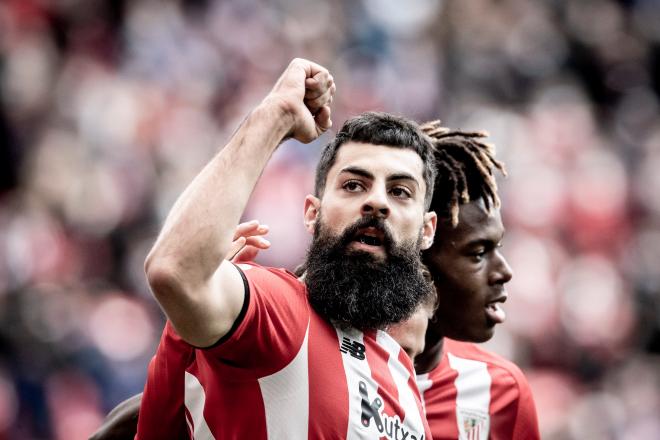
column 472, row 397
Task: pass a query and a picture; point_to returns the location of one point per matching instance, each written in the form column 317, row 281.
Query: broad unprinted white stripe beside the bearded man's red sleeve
column 286, row 397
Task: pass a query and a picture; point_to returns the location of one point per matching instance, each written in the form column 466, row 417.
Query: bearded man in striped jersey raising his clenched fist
column 300, row 358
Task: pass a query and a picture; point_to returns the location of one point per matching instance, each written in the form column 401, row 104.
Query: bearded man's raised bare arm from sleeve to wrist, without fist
column 183, row 266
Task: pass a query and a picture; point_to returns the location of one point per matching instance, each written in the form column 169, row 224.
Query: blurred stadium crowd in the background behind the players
column 109, row 108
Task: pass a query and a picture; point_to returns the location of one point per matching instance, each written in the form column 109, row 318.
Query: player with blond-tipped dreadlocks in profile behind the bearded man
column 468, row 392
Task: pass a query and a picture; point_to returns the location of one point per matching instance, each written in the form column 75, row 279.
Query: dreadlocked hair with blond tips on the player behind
column 465, row 166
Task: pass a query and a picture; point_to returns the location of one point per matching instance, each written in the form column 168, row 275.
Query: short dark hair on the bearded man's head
column 379, row 128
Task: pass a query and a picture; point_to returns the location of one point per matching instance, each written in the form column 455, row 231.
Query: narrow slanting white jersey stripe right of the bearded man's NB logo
column 413, row 419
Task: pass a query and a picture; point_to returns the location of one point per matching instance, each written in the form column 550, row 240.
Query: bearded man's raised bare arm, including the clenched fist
column 199, row 291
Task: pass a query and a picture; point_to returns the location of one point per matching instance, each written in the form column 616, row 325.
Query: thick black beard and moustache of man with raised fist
column 357, row 289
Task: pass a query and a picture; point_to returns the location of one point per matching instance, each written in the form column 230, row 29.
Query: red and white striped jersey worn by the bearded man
column 283, row 372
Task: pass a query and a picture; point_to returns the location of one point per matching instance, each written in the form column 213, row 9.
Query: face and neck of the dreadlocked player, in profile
column 470, row 273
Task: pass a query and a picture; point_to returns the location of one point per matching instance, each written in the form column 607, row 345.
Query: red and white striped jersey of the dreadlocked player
column 476, row 395
